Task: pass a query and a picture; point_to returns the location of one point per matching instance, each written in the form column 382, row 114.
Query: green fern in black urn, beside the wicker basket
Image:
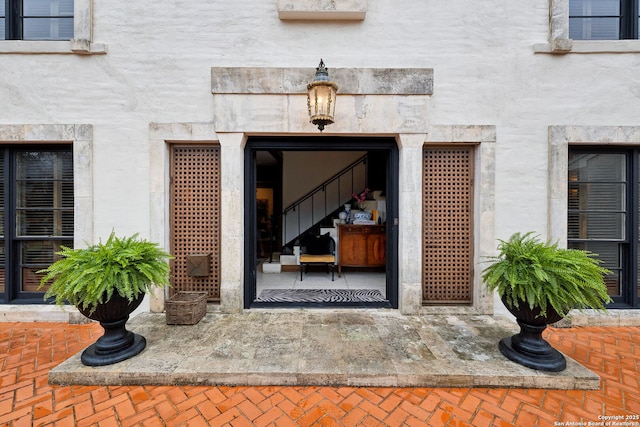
column 107, row 282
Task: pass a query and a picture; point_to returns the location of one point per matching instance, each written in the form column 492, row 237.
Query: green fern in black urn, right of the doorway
column 539, row 283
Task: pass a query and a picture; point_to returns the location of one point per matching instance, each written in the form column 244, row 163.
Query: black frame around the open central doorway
column 320, row 143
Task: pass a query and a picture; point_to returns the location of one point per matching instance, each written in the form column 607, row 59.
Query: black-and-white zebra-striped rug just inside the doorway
column 321, row 295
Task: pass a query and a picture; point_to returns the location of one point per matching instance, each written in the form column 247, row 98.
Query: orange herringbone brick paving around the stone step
column 29, row 350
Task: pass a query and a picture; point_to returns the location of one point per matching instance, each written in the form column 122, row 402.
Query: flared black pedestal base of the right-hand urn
column 529, row 349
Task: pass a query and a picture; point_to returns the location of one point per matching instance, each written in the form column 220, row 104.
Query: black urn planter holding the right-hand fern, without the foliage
column 528, row 348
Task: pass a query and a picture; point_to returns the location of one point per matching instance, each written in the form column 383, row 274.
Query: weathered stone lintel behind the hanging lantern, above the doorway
column 370, row 100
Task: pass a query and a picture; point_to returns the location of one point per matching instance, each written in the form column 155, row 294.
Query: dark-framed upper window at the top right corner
column 603, row 19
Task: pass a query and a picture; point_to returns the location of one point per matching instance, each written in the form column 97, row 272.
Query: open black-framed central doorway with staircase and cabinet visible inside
column 296, row 188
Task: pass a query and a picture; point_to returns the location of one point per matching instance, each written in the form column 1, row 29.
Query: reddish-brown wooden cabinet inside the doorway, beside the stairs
column 361, row 246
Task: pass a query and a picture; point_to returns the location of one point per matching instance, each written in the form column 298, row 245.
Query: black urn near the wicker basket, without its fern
column 117, row 343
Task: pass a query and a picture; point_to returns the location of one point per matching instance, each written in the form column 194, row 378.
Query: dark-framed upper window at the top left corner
column 36, row 19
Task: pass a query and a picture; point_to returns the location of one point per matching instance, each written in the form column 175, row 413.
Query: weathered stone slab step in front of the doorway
column 369, row 348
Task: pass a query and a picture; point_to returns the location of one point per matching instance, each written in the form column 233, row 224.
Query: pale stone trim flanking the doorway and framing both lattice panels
column 411, row 146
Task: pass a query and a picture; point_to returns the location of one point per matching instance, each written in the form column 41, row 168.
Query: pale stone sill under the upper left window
column 72, row 47
